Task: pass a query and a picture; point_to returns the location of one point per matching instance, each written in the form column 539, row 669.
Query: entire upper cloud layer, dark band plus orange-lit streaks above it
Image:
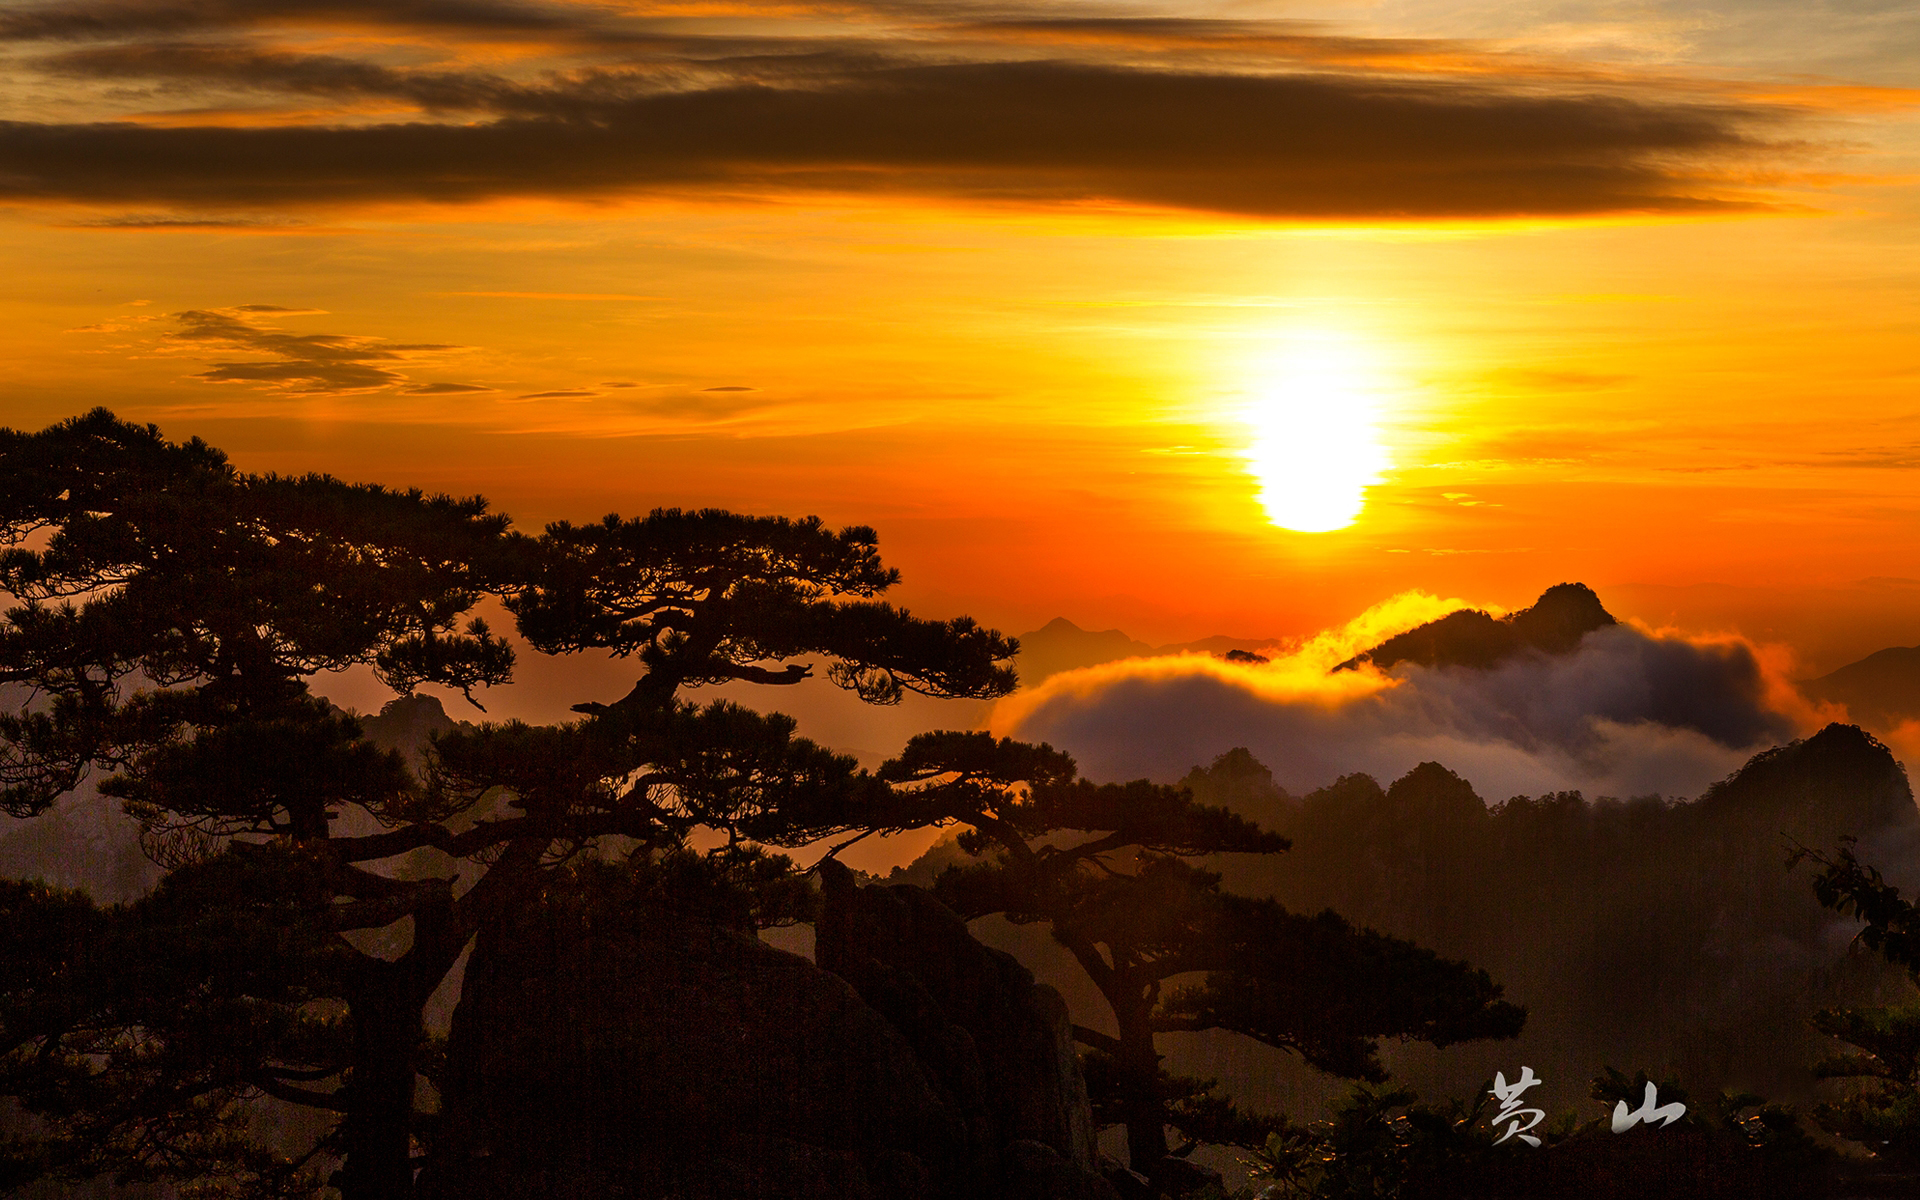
column 1270, row 120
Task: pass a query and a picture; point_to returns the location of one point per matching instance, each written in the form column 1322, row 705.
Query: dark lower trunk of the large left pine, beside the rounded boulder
column 377, row 1132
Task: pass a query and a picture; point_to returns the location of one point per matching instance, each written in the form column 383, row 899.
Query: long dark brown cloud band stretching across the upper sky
column 1038, row 132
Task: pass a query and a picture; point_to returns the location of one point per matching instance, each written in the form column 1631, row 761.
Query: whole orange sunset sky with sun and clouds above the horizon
column 1168, row 316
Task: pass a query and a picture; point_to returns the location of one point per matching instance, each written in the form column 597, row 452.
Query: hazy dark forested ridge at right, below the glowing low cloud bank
column 1641, row 934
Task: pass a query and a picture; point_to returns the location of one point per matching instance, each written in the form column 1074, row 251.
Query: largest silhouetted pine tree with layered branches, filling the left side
column 172, row 613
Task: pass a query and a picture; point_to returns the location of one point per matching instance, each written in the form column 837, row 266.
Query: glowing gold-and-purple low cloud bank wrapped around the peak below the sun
column 1627, row 713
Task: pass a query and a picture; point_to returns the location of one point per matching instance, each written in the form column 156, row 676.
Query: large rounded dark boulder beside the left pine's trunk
column 619, row 1053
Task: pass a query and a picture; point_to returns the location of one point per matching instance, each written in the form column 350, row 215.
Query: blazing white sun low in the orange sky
column 1314, row 448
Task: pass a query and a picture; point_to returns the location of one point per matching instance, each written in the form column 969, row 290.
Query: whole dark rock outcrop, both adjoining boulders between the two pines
column 612, row 1049
